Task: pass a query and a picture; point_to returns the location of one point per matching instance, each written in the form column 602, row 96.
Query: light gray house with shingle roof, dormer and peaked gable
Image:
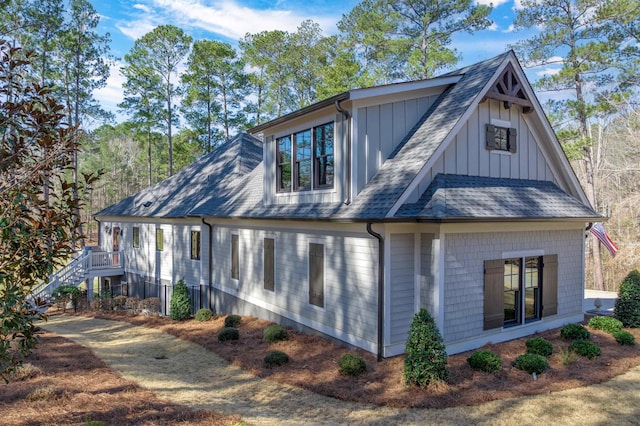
column 348, row 216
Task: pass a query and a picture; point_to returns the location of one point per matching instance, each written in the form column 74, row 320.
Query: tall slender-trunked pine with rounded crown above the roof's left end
column 160, row 52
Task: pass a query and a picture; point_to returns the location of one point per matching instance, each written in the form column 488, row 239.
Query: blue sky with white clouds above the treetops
column 230, row 20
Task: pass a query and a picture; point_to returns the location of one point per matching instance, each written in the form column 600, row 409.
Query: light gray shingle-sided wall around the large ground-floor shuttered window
column 464, row 275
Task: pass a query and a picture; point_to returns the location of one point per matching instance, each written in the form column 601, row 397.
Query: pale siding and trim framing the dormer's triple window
column 329, row 195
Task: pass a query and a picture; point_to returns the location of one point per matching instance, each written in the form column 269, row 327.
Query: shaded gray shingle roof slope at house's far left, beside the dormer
column 214, row 176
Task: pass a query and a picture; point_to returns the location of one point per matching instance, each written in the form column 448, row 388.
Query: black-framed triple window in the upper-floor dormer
column 306, row 159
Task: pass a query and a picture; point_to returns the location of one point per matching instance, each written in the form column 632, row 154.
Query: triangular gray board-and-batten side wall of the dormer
column 380, row 129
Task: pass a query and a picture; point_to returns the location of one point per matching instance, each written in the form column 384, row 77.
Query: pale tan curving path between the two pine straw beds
column 186, row 373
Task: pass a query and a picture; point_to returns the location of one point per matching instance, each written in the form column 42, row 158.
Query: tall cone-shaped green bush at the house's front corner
column 425, row 360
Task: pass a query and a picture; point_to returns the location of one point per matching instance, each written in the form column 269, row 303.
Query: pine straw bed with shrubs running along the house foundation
column 314, row 365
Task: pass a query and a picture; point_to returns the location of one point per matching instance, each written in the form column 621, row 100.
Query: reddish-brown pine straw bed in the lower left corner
column 66, row 384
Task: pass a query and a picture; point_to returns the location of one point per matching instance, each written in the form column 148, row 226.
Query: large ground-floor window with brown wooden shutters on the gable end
column 519, row 290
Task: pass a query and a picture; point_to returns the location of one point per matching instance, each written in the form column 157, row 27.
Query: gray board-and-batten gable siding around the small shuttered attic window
column 467, row 154
